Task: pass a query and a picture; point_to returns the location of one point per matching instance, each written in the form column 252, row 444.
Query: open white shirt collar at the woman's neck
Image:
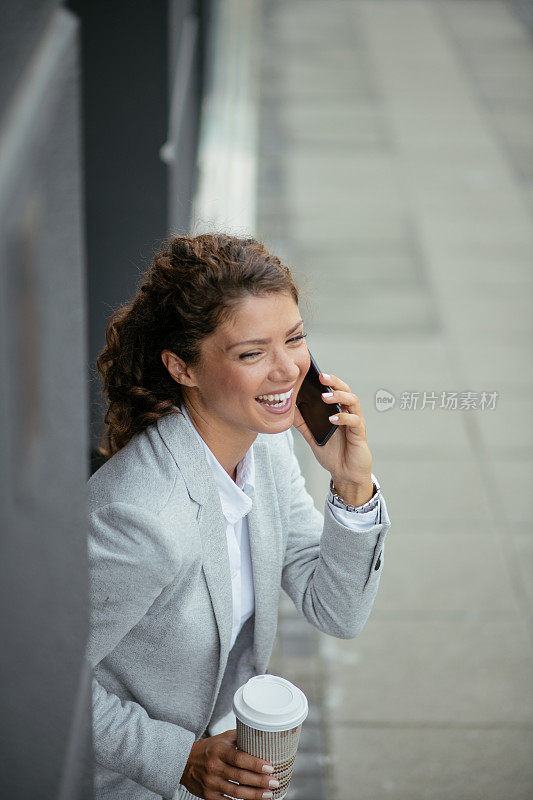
column 235, row 497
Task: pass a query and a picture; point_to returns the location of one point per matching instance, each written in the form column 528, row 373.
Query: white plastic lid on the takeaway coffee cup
column 270, row 703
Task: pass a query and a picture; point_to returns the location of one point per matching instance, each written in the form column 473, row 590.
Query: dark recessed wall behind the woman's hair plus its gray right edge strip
column 142, row 88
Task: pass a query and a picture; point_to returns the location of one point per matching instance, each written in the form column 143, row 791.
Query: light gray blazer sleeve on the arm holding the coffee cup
column 130, row 563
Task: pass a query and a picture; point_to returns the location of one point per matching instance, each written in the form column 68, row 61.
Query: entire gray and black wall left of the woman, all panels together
column 85, row 197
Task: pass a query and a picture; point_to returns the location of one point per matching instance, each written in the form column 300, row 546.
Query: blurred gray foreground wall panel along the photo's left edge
column 44, row 683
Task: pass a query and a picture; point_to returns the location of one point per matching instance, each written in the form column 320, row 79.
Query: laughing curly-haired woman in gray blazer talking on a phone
column 200, row 515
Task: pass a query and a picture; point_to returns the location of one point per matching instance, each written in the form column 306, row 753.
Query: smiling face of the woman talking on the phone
column 221, row 393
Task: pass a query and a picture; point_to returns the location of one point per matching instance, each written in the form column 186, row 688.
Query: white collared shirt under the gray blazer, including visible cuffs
column 236, row 498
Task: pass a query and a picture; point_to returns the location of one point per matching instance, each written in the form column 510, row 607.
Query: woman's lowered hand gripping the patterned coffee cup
column 215, row 766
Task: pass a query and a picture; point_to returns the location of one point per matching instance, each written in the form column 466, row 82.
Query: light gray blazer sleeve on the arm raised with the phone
column 331, row 572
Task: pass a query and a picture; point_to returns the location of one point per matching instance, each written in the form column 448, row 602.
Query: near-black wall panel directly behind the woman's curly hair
column 125, row 106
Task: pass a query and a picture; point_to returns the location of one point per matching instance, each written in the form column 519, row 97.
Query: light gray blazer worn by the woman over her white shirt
column 161, row 604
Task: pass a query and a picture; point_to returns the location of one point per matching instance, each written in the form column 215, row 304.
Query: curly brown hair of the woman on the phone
column 192, row 285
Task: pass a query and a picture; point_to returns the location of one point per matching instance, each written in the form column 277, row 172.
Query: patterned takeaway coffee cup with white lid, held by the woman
column 270, row 711
